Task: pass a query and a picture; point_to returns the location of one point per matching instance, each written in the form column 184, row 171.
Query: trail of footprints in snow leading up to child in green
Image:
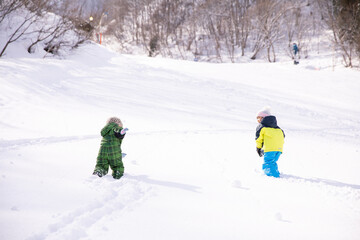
column 118, row 195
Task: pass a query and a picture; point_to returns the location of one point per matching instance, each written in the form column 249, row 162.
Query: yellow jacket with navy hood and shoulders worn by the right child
column 269, row 136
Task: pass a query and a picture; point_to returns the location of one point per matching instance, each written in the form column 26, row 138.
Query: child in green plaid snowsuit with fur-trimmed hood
column 110, row 149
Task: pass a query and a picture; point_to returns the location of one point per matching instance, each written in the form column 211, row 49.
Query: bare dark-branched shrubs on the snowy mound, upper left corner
column 37, row 29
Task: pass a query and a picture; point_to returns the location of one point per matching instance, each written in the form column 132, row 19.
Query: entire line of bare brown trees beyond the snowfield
column 209, row 29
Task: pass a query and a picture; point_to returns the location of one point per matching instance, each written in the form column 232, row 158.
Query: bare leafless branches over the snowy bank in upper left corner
column 40, row 25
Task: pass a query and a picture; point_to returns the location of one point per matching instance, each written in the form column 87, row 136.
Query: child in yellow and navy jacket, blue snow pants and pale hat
column 269, row 141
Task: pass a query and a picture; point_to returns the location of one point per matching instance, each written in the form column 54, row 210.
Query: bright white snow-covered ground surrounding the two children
column 191, row 169
